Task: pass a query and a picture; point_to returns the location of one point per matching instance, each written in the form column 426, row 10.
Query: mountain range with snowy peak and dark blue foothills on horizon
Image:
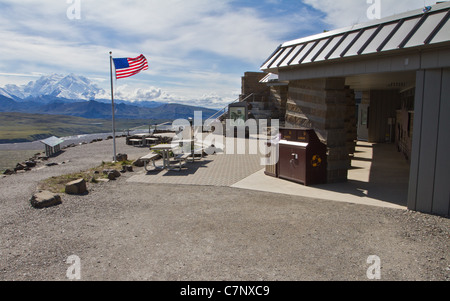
column 75, row 95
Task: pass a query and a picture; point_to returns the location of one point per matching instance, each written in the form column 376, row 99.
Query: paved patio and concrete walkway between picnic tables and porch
column 379, row 177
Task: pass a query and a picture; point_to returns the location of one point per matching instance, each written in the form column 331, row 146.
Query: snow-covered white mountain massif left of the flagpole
column 56, row 86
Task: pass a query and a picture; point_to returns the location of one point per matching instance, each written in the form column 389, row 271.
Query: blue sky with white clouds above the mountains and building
column 198, row 50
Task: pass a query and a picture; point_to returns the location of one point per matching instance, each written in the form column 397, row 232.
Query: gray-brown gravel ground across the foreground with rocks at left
column 132, row 231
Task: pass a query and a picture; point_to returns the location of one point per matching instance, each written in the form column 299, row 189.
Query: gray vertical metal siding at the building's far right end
column 429, row 186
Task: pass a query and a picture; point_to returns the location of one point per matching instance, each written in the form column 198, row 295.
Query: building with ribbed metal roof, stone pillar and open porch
column 399, row 66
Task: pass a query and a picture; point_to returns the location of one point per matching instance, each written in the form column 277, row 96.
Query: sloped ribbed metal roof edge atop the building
column 413, row 29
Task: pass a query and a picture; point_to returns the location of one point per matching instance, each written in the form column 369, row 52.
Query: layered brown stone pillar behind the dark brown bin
column 322, row 104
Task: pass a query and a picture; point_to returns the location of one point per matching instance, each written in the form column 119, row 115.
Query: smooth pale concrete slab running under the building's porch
column 379, row 177
